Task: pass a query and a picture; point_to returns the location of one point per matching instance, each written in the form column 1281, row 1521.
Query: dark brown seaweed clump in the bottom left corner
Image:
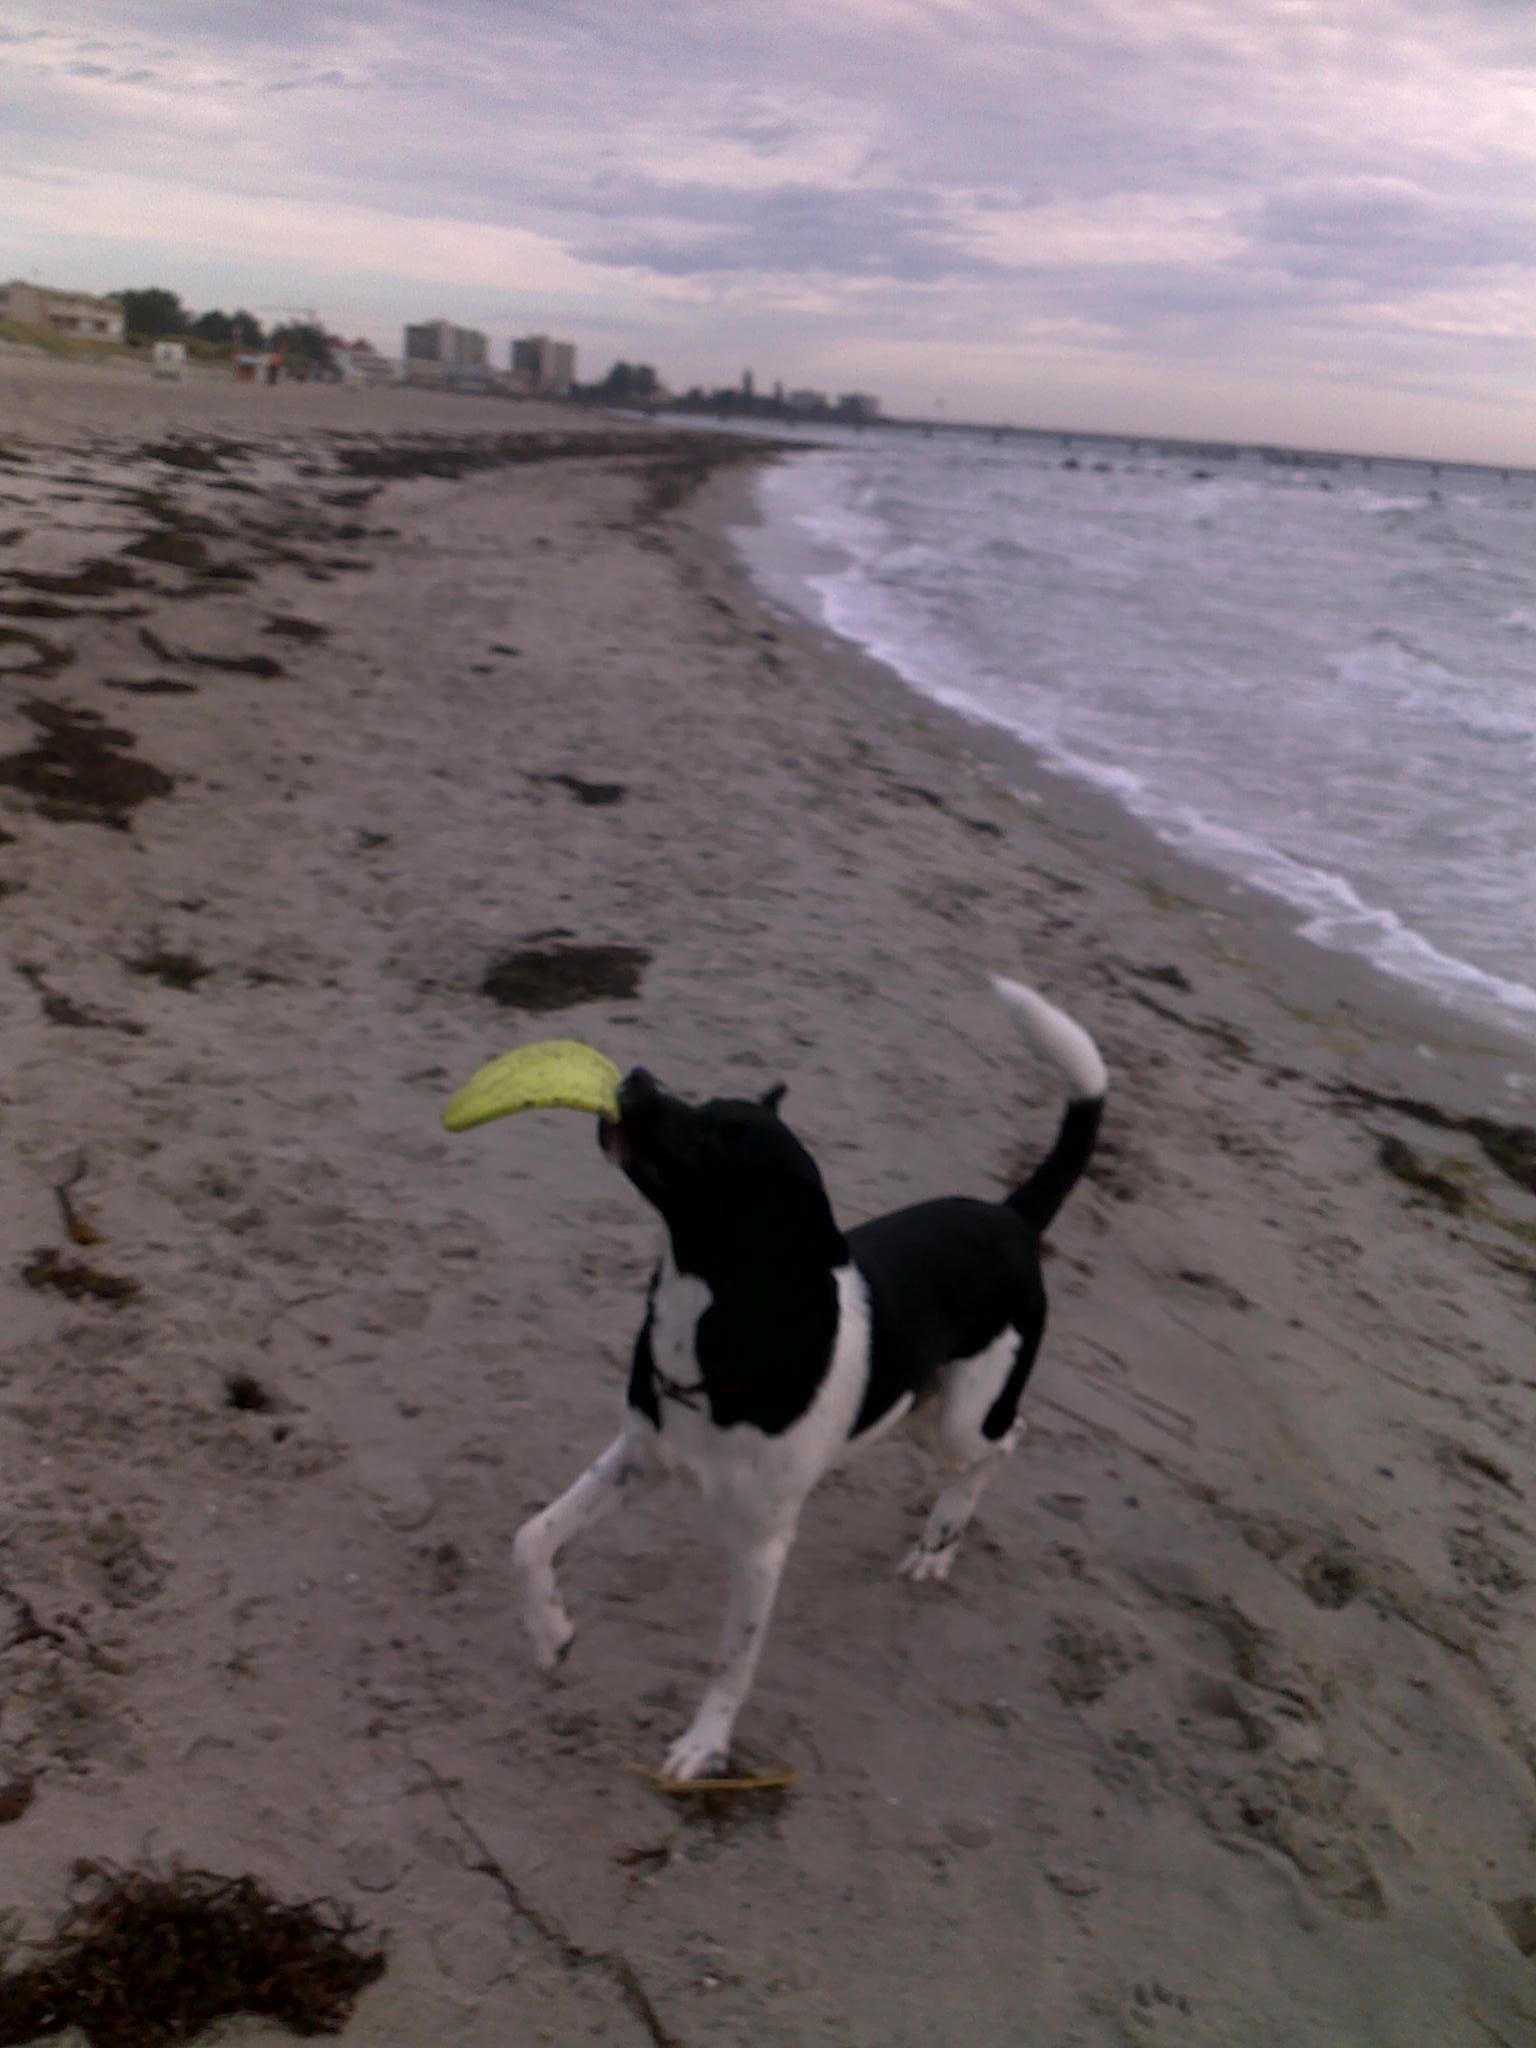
column 151, row 1959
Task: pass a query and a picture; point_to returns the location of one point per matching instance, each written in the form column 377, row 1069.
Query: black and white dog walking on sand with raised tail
column 775, row 1345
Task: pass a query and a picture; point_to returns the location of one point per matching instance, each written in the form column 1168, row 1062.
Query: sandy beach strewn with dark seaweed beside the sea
column 353, row 738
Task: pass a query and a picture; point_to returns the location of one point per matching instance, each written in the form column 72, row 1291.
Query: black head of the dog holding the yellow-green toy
column 732, row 1183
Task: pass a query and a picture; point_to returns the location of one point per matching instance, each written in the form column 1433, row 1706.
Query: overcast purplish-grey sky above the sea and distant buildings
column 1287, row 220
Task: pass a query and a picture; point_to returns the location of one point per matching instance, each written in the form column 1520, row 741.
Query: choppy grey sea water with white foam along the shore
column 1316, row 677
